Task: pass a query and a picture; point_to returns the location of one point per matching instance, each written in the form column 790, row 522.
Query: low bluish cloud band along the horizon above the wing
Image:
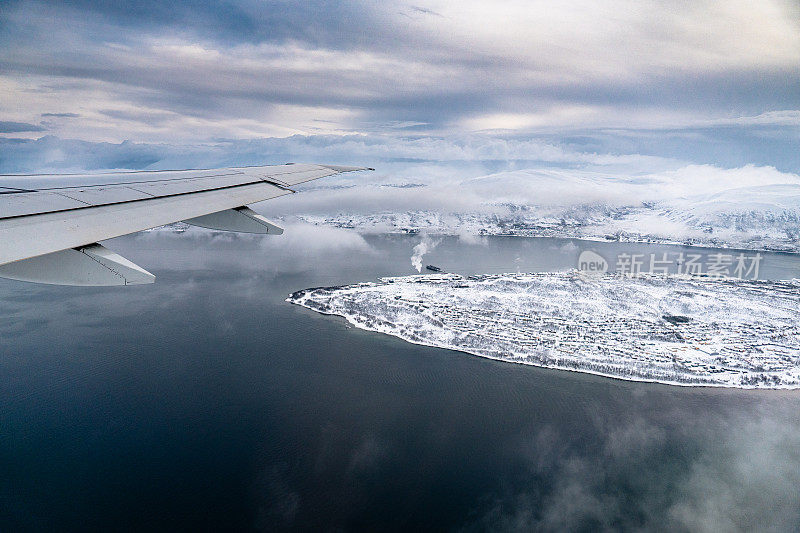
column 474, row 154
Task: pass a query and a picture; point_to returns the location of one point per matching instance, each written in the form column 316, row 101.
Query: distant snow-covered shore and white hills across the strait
column 752, row 208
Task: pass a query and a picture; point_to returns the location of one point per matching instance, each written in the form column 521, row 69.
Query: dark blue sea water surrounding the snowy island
column 205, row 402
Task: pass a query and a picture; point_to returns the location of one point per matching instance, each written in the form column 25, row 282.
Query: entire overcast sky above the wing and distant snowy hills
column 149, row 84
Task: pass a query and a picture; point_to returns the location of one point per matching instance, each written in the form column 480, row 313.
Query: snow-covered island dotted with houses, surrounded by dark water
column 667, row 329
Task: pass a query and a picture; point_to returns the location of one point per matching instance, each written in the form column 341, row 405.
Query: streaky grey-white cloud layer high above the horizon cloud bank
column 197, row 71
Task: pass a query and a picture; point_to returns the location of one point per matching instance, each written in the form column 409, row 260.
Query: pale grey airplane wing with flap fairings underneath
column 50, row 234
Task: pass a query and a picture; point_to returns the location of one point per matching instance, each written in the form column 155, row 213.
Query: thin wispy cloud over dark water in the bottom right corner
column 735, row 472
